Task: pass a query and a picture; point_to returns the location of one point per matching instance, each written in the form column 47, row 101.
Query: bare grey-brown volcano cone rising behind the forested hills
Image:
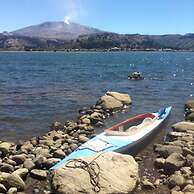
column 55, row 30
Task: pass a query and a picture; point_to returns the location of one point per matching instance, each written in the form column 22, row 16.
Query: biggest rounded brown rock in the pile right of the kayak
column 174, row 162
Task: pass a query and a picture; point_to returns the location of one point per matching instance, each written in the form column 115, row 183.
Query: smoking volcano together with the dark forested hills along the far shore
column 61, row 36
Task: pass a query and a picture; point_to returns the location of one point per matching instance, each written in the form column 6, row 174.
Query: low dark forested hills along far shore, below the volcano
column 99, row 41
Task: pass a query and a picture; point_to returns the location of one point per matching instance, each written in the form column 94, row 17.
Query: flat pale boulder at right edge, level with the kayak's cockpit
column 183, row 126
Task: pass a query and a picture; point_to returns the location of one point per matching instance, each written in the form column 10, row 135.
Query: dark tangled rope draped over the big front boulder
column 92, row 168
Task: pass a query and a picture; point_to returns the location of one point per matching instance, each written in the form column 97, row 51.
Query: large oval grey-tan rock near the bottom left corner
column 14, row 180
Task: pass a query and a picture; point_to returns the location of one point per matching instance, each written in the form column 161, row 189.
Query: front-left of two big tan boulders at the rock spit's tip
column 111, row 103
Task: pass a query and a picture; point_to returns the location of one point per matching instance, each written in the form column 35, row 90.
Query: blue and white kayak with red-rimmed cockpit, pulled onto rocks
column 120, row 137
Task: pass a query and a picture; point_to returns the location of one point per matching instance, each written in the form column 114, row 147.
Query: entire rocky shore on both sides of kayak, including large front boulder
column 168, row 168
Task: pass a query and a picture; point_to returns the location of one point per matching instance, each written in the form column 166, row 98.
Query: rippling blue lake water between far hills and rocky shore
column 41, row 87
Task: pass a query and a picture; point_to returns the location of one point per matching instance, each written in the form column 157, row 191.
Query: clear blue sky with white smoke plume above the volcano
column 121, row 16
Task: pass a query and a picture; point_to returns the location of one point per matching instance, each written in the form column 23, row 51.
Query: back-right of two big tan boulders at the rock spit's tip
column 124, row 98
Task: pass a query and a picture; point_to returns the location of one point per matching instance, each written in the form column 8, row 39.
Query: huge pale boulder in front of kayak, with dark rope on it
column 118, row 174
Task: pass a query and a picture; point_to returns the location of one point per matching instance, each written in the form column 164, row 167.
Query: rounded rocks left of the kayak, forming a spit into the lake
column 22, row 164
